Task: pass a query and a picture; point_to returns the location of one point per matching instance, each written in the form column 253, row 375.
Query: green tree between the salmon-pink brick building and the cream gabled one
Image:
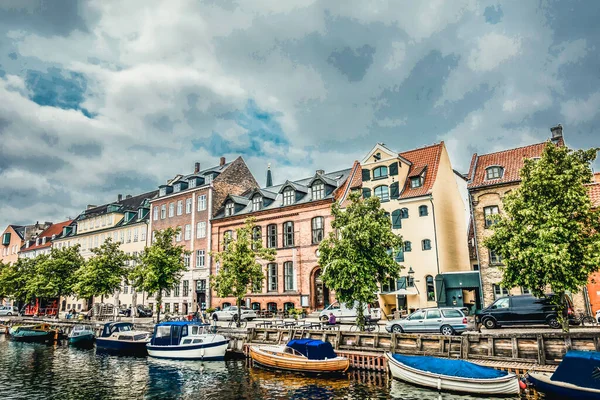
column 356, row 256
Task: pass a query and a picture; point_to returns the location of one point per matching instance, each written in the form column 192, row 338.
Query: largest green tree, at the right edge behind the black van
column 549, row 235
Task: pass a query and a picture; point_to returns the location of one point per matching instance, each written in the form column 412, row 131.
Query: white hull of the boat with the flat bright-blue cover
column 497, row 386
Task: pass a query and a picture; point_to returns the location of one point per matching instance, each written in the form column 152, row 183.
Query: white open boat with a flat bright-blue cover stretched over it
column 444, row 374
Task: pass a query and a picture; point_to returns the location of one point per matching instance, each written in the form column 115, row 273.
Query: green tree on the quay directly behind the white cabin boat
column 161, row 266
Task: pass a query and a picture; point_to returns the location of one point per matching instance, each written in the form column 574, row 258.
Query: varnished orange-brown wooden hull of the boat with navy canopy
column 266, row 356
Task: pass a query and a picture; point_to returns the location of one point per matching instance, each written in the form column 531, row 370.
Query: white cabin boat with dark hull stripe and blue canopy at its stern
column 186, row 340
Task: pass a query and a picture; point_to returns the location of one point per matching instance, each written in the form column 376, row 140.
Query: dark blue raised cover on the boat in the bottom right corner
column 581, row 368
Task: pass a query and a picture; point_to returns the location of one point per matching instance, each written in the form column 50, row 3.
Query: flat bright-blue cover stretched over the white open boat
column 449, row 367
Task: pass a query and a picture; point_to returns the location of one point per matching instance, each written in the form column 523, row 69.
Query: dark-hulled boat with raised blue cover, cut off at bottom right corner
column 577, row 377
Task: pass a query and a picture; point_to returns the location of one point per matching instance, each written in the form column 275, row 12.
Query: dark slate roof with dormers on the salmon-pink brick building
column 335, row 179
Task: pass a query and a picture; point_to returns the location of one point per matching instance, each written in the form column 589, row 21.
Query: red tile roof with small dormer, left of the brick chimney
column 511, row 160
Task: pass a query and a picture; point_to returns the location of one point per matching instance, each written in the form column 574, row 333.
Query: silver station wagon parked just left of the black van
column 447, row 321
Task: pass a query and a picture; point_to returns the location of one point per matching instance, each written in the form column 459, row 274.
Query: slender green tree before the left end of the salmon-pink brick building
column 239, row 270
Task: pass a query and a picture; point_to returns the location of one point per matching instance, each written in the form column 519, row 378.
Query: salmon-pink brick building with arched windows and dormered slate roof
column 292, row 218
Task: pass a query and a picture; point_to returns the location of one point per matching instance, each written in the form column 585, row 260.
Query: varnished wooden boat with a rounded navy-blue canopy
column 303, row 355
